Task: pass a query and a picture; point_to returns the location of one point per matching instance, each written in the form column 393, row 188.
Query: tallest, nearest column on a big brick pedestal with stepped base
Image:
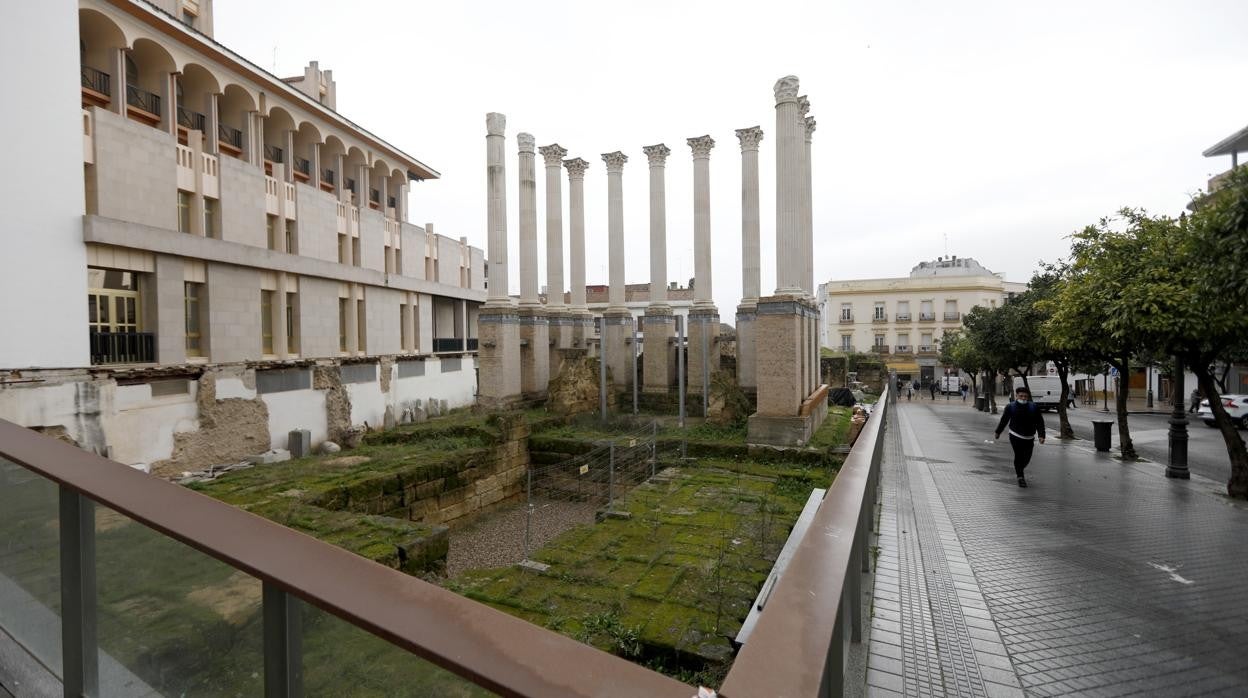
column 788, row 410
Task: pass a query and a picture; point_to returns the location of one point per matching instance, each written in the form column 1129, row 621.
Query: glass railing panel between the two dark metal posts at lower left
column 173, row 621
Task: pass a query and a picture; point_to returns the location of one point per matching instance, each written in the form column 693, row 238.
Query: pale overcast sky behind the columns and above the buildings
column 982, row 129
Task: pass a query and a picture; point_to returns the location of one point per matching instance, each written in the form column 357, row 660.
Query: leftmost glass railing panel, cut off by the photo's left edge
column 31, row 569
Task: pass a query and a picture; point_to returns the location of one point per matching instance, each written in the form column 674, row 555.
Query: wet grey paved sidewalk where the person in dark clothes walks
column 1099, row 580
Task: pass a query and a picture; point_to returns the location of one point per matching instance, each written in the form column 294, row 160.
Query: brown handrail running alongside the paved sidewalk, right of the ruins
column 793, row 647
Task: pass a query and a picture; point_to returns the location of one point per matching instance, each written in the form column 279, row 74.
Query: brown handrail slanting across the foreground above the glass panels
column 489, row 647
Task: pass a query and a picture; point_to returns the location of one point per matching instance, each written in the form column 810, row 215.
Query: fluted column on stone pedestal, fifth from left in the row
column 617, row 335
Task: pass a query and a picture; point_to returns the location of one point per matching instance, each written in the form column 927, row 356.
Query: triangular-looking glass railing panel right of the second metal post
column 343, row 660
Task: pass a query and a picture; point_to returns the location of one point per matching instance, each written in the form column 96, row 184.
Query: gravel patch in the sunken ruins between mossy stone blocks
column 497, row 540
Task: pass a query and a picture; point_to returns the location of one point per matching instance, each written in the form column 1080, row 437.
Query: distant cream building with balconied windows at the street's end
column 903, row 320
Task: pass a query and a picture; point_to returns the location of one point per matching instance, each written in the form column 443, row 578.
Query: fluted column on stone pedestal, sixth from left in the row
column 660, row 327
